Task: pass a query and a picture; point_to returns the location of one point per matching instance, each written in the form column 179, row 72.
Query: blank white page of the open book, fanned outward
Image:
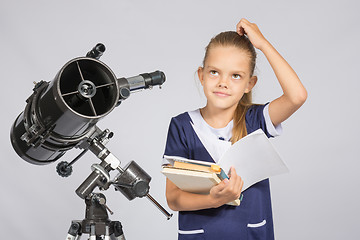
column 254, row 159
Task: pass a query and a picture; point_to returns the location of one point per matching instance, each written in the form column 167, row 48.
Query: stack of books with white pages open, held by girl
column 253, row 157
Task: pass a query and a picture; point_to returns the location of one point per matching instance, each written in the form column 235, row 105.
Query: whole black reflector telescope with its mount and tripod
column 62, row 114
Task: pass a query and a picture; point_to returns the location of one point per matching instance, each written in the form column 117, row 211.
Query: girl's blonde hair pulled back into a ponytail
column 233, row 39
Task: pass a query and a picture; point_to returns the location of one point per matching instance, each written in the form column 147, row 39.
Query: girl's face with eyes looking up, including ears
column 226, row 76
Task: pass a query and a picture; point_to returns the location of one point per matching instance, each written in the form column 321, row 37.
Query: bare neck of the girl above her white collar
column 217, row 118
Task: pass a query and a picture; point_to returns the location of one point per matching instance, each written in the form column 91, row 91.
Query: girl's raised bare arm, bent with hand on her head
column 294, row 93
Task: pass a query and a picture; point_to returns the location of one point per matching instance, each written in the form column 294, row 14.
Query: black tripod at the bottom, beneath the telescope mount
column 96, row 223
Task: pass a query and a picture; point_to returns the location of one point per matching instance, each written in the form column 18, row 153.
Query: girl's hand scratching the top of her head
column 253, row 33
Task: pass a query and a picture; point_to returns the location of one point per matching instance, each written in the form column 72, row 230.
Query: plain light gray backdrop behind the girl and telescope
column 318, row 199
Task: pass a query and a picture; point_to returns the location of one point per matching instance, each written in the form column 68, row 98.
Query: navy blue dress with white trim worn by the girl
column 252, row 219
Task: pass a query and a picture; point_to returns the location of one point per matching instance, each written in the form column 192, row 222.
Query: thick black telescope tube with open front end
column 56, row 118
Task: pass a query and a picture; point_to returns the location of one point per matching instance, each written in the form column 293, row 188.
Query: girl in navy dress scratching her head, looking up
column 205, row 134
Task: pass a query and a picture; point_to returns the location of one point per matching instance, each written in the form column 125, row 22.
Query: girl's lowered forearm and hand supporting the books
column 224, row 192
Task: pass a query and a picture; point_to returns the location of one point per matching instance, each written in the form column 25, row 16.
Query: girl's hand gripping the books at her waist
column 228, row 190
